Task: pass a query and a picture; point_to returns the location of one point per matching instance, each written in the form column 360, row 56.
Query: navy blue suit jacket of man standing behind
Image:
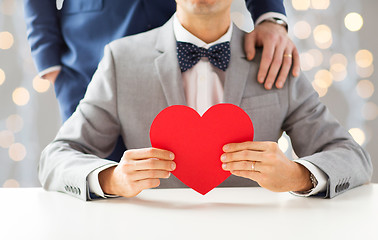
column 75, row 36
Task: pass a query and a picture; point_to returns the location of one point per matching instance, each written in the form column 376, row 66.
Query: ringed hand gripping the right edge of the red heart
column 266, row 164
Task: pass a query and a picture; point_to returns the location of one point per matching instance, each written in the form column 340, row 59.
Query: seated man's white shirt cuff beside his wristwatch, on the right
column 320, row 176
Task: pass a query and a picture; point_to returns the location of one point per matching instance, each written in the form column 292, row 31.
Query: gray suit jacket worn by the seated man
column 139, row 76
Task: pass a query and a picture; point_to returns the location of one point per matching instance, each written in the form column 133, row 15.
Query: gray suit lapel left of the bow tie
column 167, row 66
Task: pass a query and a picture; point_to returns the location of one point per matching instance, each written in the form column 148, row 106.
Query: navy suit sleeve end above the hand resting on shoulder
column 259, row 7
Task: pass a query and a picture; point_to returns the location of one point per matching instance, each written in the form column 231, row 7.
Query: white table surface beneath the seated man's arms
column 224, row 213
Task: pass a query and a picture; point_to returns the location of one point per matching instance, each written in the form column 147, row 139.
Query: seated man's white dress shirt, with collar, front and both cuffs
column 203, row 86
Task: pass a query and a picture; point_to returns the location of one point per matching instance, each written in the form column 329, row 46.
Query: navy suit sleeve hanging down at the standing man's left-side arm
column 43, row 31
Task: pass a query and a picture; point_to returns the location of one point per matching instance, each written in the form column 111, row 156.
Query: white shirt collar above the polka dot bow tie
column 183, row 35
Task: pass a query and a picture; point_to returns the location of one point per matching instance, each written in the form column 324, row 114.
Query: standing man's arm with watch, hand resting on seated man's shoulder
column 279, row 52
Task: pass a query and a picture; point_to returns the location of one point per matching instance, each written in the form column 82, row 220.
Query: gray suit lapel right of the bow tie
column 238, row 70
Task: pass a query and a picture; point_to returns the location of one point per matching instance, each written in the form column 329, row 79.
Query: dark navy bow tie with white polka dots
column 189, row 54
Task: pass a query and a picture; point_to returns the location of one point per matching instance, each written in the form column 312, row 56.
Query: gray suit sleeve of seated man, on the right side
column 317, row 137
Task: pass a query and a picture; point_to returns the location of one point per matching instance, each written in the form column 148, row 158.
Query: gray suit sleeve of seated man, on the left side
column 86, row 138
